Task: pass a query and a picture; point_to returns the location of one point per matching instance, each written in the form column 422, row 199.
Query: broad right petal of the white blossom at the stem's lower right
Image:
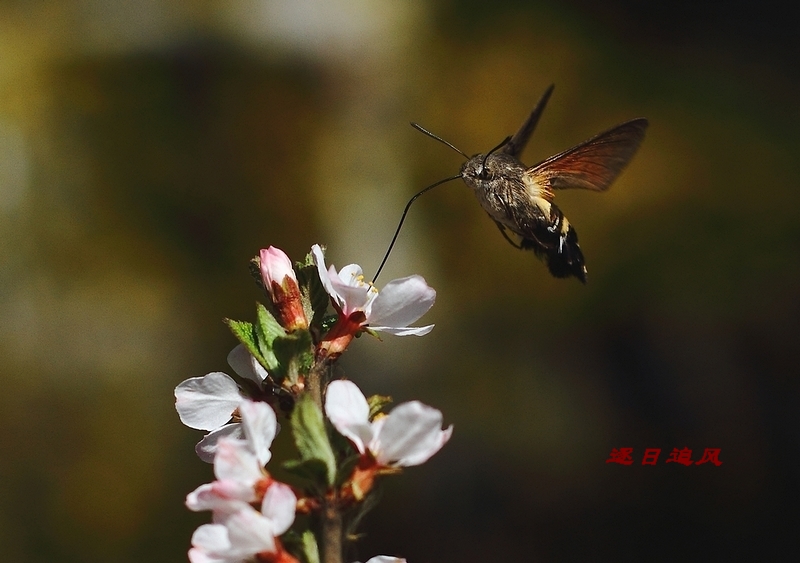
column 410, row 435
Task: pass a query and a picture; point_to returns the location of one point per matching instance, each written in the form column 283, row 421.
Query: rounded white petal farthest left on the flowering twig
column 207, row 402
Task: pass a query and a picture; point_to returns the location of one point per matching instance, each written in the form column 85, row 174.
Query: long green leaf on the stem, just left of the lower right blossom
column 311, row 437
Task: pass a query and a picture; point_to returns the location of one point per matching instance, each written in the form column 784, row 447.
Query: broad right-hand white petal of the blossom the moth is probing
column 402, row 302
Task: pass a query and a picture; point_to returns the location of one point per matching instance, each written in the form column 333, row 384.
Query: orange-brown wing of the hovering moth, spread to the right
column 595, row 163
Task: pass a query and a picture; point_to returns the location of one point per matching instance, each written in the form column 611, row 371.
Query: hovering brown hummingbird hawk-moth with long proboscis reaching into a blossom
column 519, row 198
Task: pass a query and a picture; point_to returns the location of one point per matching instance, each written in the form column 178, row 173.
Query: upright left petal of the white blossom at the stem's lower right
column 348, row 411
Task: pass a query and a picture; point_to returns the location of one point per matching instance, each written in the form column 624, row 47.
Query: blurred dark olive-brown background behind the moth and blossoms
column 148, row 149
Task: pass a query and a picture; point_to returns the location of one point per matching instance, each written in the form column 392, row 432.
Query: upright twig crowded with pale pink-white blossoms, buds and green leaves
column 282, row 366
